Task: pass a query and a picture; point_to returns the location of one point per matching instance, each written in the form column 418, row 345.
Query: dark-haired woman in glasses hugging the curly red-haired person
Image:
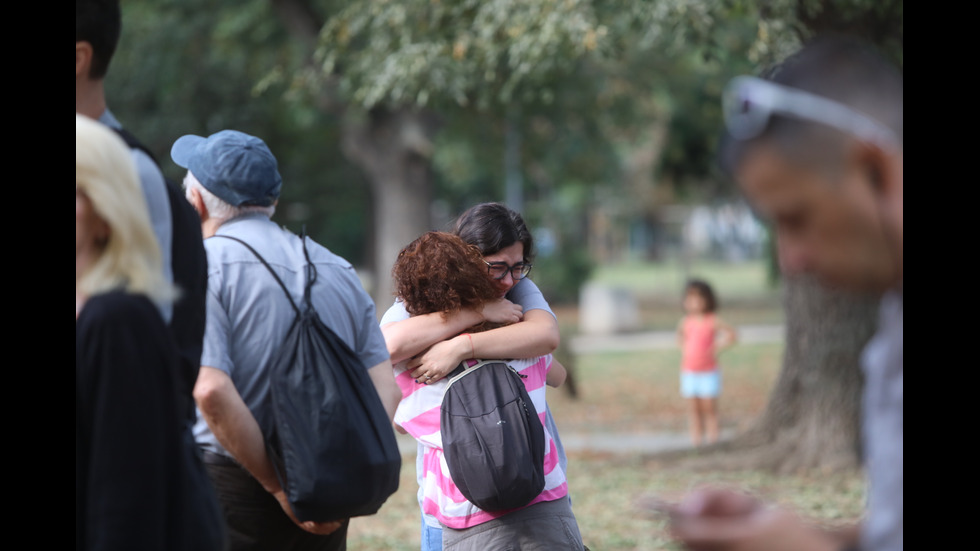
column 429, row 346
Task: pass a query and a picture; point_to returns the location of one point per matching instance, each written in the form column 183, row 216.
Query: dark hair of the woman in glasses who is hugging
column 493, row 227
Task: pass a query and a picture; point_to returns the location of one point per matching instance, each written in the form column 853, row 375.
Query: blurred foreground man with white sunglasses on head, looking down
column 818, row 150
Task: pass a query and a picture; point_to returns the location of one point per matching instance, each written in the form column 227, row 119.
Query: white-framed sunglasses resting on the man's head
column 749, row 102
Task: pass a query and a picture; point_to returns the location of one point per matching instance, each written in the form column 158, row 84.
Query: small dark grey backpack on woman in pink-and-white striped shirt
column 492, row 437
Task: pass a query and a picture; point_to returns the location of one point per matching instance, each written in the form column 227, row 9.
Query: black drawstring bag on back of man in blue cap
column 331, row 442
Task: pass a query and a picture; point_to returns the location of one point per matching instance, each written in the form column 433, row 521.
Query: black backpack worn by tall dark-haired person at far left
column 189, row 263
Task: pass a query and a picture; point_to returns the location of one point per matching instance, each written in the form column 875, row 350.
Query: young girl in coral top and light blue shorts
column 702, row 335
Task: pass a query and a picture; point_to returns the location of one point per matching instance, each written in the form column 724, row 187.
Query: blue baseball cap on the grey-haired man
column 236, row 167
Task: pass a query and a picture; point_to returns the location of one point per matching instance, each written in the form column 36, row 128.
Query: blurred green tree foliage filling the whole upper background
column 584, row 82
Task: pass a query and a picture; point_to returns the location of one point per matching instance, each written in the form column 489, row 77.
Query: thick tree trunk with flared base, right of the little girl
column 812, row 419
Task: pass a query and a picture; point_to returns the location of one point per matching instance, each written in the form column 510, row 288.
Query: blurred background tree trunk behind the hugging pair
column 393, row 147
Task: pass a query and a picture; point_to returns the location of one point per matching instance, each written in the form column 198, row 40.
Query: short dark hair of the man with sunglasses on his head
column 841, row 68
